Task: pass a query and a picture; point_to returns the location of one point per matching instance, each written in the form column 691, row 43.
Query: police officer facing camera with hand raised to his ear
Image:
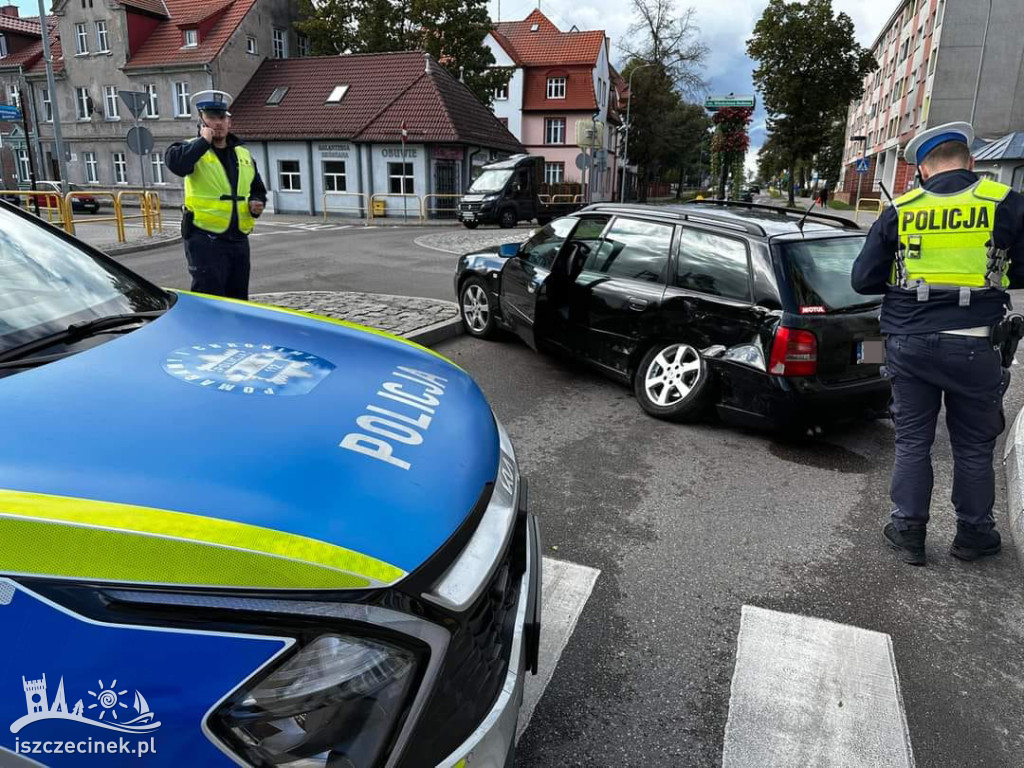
column 224, row 196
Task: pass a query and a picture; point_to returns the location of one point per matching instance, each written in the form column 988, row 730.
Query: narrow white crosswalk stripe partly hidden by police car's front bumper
column 566, row 588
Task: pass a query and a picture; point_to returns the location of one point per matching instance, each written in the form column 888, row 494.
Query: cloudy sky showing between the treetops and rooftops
column 726, row 27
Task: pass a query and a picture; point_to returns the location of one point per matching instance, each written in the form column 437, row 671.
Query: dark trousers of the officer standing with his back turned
column 967, row 373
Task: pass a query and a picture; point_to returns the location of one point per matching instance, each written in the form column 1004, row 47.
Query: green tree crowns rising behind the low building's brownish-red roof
column 452, row 31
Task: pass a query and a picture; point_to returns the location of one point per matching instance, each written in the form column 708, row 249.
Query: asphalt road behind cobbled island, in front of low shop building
column 374, row 261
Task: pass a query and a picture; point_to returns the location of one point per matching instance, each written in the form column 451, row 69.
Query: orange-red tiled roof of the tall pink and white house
column 548, row 46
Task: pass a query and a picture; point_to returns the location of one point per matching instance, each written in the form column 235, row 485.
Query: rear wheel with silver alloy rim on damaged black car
column 672, row 382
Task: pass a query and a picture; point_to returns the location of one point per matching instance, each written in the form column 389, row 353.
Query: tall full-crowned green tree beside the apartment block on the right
column 809, row 67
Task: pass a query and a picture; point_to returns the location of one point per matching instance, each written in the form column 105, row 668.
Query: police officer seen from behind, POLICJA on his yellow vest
column 944, row 257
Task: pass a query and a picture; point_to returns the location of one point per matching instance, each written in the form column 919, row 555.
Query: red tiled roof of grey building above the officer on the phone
column 164, row 46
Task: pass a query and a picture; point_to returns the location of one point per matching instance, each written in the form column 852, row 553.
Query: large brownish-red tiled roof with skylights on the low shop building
column 385, row 91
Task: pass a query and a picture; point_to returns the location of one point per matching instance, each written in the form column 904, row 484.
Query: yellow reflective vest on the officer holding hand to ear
column 209, row 196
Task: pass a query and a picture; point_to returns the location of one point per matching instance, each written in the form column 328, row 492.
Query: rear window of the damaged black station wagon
column 820, row 274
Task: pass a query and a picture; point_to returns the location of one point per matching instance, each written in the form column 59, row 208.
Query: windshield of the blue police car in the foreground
column 48, row 284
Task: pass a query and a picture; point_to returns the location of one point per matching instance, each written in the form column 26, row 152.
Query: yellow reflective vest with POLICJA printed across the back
column 944, row 239
